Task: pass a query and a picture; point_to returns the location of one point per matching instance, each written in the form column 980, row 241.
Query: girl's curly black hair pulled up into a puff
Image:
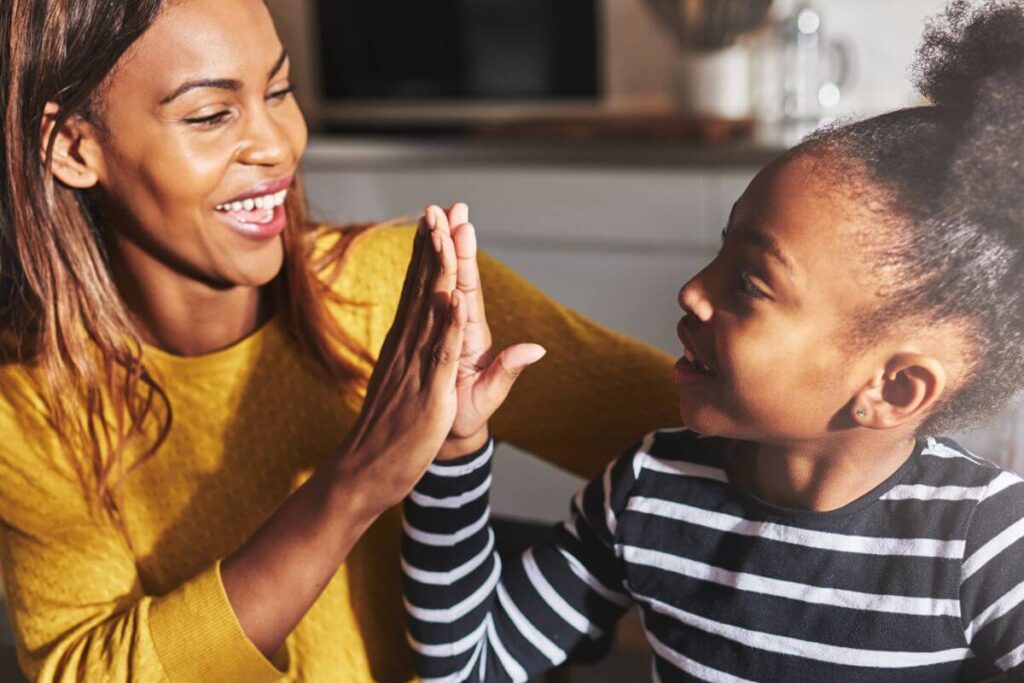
column 952, row 176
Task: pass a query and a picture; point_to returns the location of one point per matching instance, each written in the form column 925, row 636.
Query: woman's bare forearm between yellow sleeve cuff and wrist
column 276, row 577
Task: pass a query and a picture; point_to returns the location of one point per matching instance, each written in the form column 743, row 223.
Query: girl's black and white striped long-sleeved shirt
column 921, row 580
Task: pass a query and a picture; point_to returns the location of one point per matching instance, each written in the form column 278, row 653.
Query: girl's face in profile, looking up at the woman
column 769, row 317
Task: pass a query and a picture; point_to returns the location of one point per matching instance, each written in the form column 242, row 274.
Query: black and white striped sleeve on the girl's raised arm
column 473, row 620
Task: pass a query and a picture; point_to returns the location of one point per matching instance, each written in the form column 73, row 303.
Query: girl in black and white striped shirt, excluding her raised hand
column 869, row 296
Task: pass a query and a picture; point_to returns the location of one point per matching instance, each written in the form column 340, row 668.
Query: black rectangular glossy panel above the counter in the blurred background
column 459, row 50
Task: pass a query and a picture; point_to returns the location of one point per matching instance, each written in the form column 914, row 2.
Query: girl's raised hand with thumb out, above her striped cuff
column 484, row 379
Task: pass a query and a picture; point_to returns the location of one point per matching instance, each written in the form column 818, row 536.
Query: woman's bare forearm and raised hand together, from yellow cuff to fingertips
column 274, row 579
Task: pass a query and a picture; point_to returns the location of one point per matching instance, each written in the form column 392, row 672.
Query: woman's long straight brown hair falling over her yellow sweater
column 60, row 310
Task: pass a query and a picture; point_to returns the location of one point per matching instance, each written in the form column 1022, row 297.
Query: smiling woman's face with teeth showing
column 201, row 142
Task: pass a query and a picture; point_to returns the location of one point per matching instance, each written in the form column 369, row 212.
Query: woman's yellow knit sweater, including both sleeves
column 250, row 422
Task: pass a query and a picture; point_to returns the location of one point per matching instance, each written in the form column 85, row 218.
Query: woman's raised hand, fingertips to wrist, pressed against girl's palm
column 411, row 402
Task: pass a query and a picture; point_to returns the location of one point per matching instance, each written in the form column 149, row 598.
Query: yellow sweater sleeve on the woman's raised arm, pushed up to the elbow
column 79, row 609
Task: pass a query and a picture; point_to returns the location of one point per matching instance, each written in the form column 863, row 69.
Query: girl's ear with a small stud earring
column 905, row 392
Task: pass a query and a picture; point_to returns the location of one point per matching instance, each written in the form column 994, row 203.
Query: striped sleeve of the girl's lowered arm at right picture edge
column 993, row 577
